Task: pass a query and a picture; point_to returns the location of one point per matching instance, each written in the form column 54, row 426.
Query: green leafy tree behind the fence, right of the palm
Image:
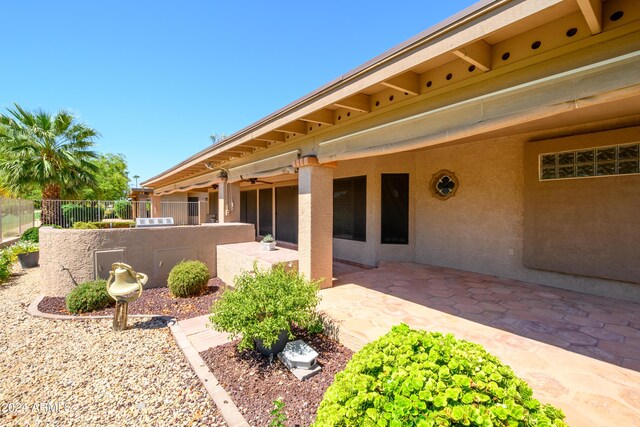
column 112, row 178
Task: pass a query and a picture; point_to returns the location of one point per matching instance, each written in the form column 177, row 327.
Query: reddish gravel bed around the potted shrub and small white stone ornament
column 254, row 383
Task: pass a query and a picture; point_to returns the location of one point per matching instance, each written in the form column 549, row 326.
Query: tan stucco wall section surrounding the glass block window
column 594, row 223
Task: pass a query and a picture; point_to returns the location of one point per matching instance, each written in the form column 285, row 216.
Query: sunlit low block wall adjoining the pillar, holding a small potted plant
column 235, row 258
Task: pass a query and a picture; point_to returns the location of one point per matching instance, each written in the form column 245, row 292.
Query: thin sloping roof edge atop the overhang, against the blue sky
column 479, row 8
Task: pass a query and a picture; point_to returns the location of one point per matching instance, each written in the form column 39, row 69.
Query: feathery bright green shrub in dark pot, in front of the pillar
column 264, row 303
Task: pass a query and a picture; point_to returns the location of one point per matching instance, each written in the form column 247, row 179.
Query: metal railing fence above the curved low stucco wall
column 65, row 213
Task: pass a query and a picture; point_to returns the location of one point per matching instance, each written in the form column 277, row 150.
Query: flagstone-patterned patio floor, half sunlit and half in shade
column 578, row 352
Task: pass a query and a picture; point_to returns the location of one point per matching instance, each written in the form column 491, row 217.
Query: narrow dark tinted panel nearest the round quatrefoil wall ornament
column 395, row 208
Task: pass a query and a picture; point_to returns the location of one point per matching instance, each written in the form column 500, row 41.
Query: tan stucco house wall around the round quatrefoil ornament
column 480, row 229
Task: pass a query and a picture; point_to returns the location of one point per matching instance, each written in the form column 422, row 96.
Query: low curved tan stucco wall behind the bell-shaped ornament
column 87, row 254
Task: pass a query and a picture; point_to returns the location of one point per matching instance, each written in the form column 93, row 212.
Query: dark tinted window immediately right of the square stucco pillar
column 350, row 208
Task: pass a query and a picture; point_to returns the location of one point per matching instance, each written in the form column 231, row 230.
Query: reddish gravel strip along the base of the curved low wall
column 152, row 301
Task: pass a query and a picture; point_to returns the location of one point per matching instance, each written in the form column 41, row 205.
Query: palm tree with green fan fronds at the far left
column 47, row 152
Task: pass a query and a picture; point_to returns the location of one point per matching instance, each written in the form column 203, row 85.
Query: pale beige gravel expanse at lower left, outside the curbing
column 83, row 373
